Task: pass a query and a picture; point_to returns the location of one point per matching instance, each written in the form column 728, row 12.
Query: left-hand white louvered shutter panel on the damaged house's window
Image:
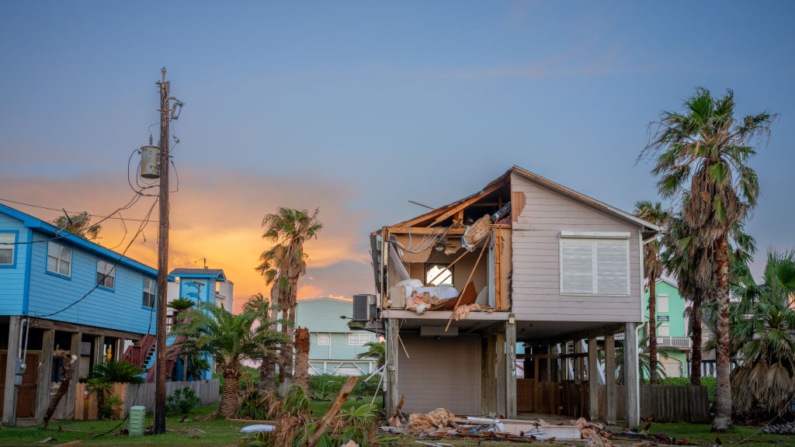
column 576, row 266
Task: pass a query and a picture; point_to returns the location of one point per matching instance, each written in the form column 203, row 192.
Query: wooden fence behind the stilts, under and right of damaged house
column 667, row 403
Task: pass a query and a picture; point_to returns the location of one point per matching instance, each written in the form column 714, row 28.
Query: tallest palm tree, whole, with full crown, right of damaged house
column 705, row 151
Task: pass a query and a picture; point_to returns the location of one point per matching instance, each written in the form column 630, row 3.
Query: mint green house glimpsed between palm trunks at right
column 672, row 328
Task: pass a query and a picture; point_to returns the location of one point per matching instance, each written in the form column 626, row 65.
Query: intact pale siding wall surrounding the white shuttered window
column 536, row 259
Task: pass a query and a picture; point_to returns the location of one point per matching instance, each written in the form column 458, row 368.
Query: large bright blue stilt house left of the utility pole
column 62, row 292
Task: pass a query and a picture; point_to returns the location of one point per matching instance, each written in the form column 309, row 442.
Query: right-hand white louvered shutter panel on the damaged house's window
column 612, row 267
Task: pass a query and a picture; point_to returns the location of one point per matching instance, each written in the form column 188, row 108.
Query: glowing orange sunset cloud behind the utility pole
column 216, row 215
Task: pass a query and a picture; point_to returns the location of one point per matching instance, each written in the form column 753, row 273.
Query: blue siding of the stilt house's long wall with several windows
column 120, row 309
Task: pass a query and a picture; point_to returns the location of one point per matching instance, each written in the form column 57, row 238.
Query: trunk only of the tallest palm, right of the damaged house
column 723, row 403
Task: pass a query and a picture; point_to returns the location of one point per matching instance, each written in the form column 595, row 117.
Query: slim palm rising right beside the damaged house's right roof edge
column 652, row 269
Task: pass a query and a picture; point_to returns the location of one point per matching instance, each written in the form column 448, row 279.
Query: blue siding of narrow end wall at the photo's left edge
column 12, row 278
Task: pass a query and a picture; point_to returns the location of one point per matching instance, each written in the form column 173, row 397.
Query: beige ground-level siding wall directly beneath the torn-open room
column 442, row 373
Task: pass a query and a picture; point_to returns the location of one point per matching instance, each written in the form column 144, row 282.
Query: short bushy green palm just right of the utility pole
column 229, row 338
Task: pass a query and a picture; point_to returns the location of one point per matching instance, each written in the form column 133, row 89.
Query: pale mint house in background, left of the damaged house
column 334, row 346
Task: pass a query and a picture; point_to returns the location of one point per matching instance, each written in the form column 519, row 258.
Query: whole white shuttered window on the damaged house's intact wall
column 594, row 263
